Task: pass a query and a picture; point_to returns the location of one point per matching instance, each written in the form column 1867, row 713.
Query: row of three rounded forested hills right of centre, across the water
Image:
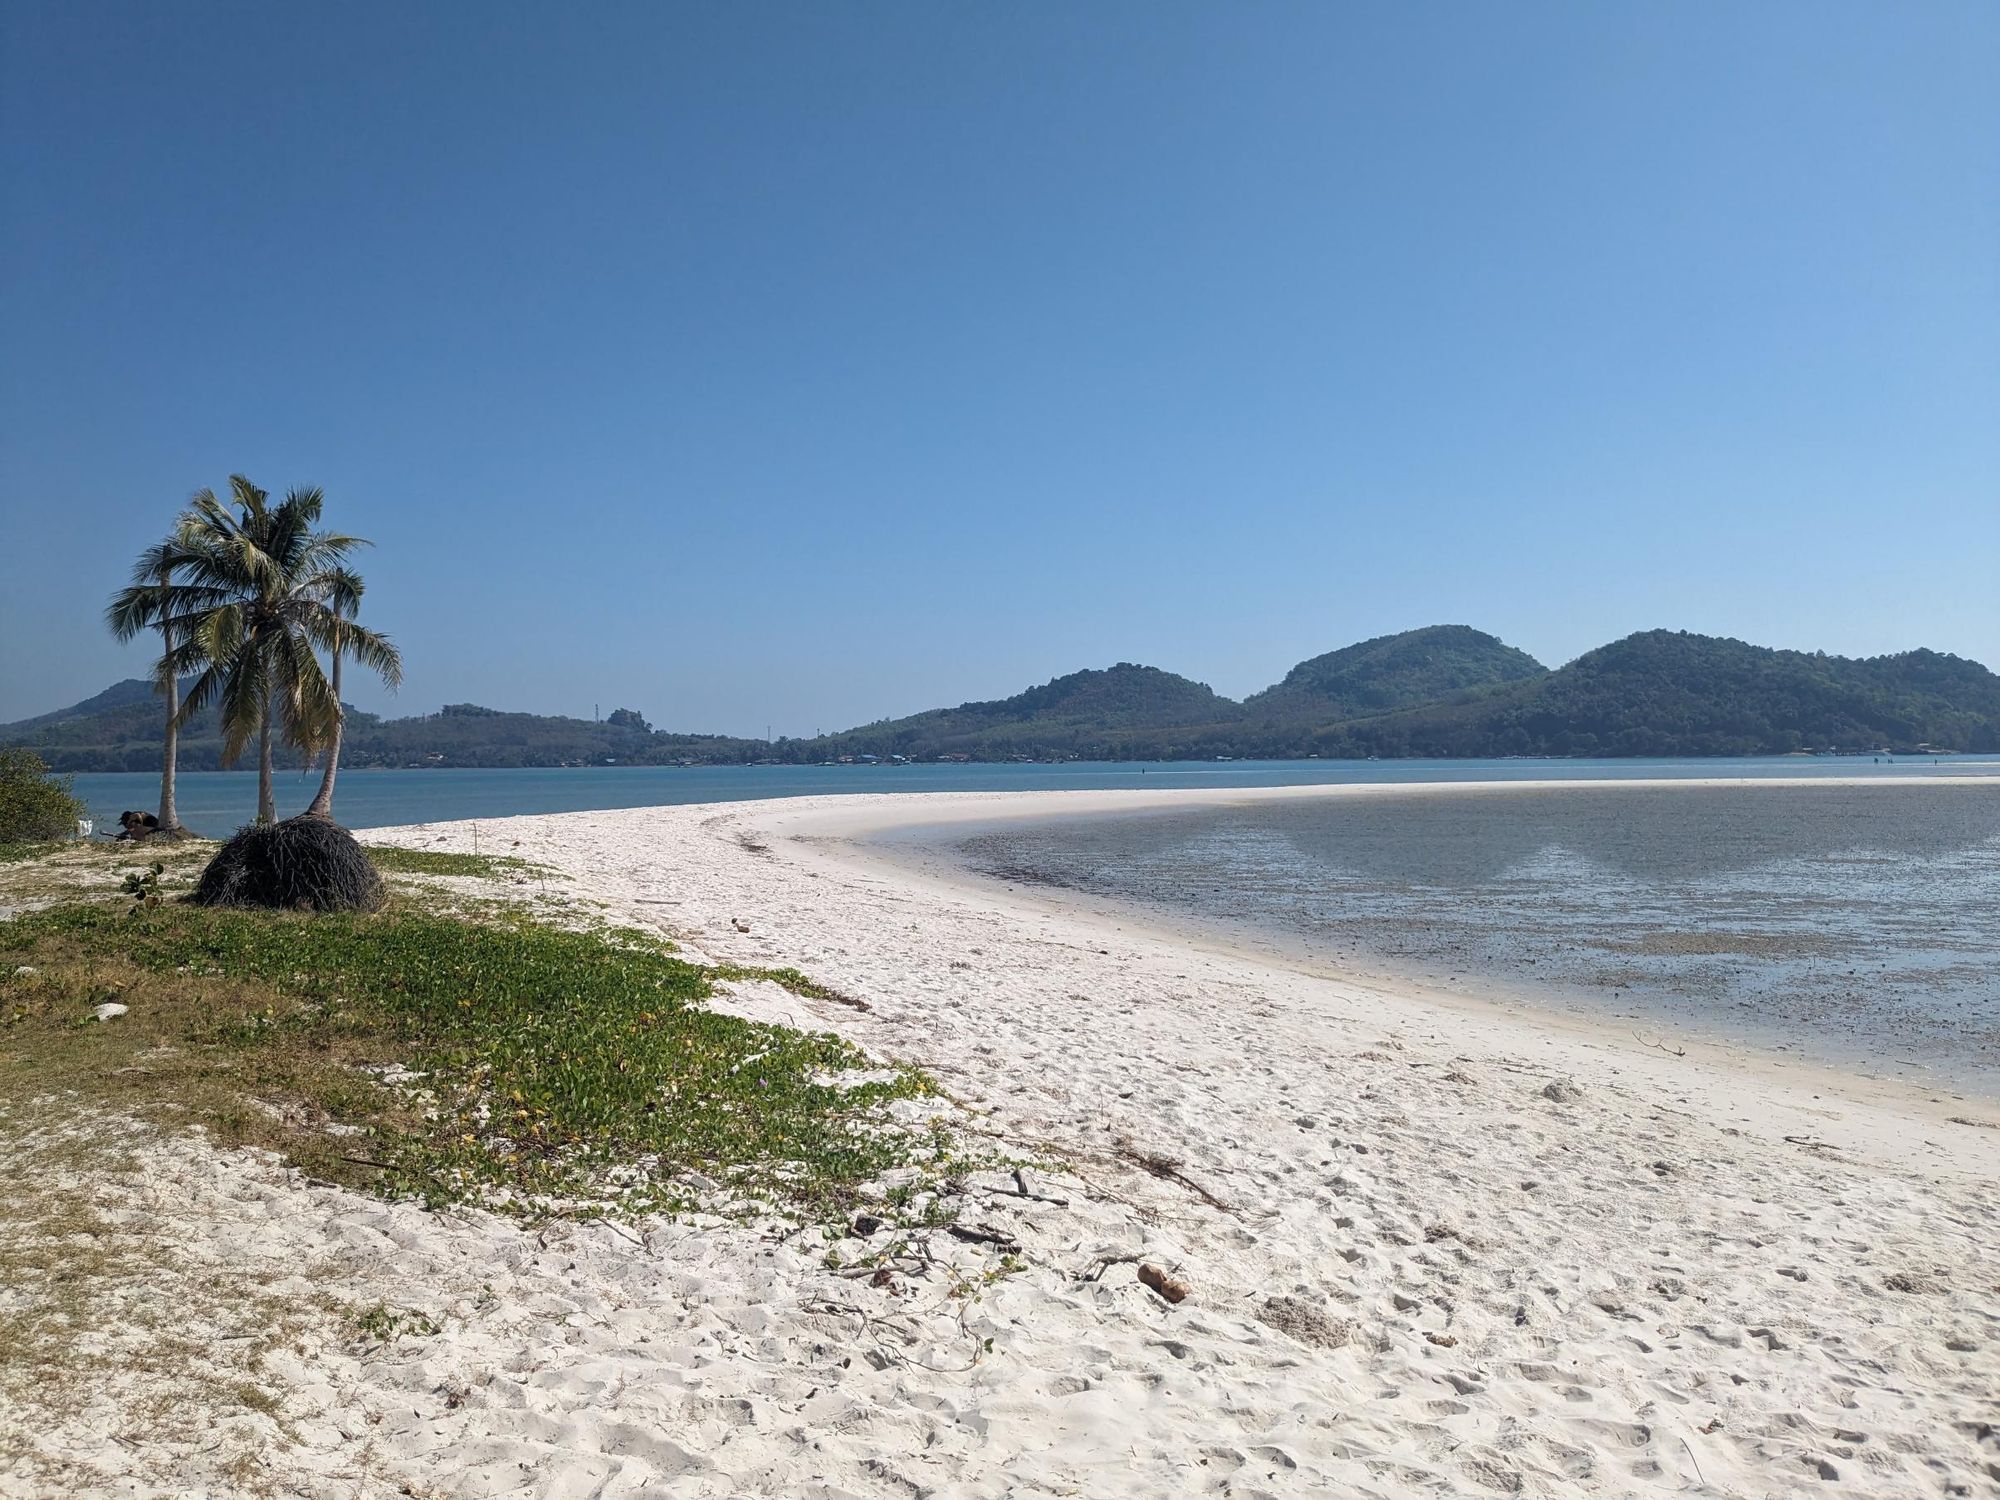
column 1451, row 691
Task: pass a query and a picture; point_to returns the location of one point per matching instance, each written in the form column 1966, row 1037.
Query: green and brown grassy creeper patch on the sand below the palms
column 523, row 1067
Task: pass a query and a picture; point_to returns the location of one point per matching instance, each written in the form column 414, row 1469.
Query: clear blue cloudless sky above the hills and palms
column 803, row 365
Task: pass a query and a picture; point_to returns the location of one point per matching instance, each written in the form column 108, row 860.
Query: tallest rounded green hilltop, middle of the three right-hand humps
column 1389, row 673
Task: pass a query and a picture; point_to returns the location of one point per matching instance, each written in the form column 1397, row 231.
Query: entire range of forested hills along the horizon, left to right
column 1445, row 691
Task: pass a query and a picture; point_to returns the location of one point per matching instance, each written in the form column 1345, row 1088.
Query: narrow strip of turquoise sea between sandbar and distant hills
column 217, row 803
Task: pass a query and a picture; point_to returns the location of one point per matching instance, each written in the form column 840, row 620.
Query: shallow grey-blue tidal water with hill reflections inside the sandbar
column 1835, row 921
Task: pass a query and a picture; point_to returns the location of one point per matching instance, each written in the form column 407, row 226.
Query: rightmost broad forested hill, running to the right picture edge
column 1667, row 693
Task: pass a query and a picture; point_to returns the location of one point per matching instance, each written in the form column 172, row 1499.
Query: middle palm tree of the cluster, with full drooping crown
column 281, row 593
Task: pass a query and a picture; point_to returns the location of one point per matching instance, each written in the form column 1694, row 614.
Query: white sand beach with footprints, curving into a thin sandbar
column 1431, row 1247
